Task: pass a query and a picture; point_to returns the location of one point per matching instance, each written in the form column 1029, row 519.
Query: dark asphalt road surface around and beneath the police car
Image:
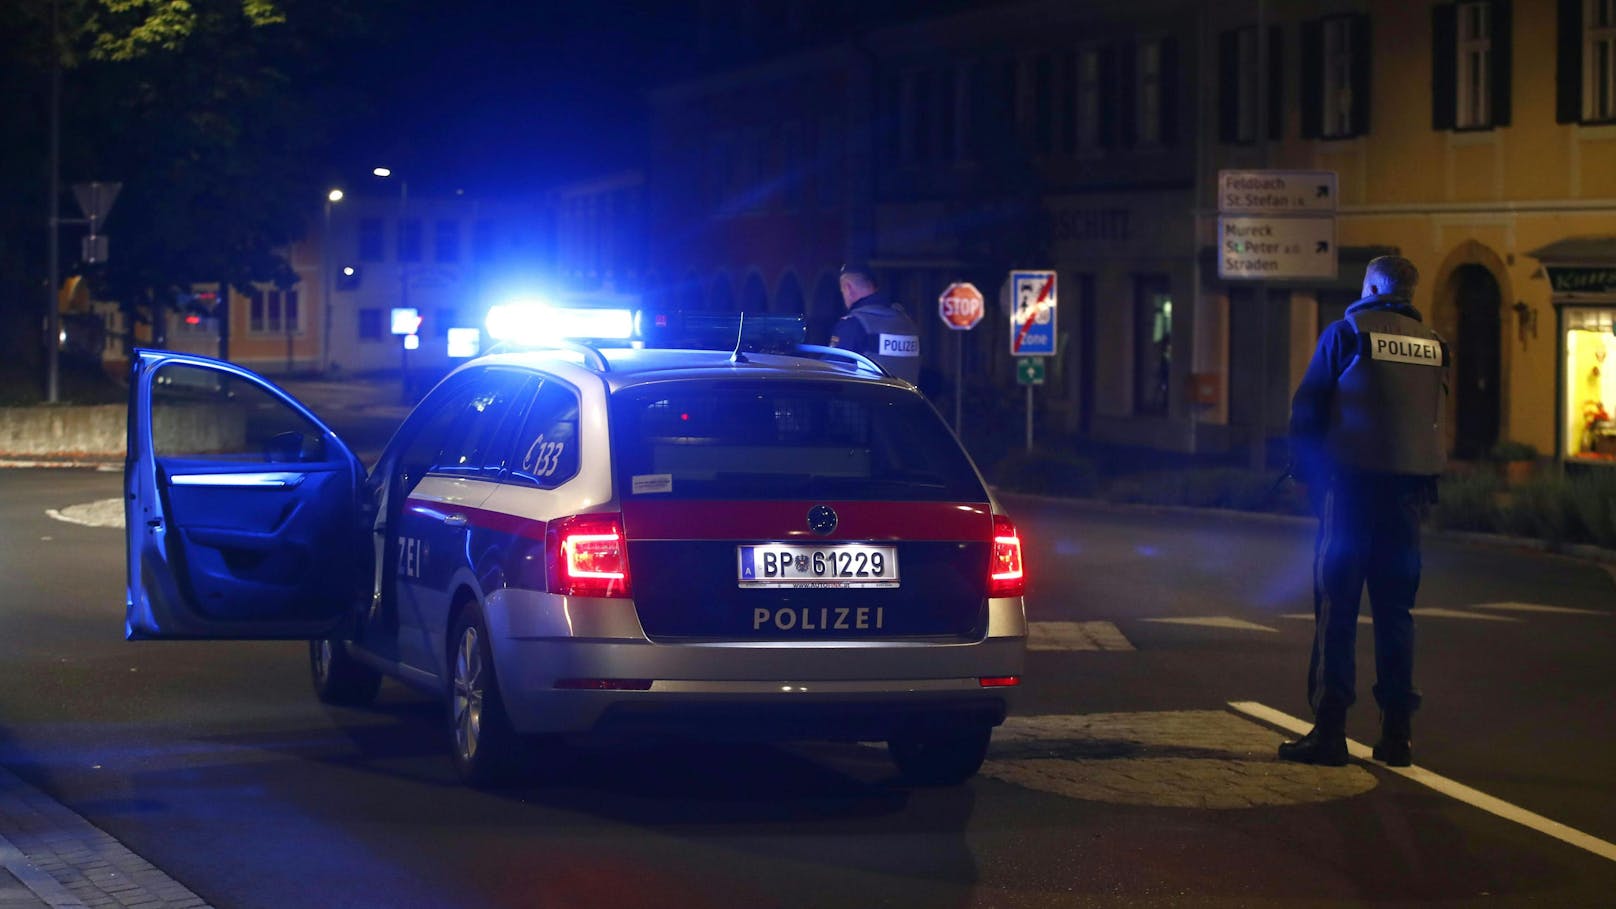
column 1127, row 780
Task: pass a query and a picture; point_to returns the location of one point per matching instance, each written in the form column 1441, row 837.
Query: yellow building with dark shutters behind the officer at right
column 1486, row 153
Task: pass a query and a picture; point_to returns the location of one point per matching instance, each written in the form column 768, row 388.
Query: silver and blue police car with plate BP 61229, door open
column 584, row 541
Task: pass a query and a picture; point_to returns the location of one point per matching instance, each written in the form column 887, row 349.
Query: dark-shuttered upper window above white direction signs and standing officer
column 1336, row 78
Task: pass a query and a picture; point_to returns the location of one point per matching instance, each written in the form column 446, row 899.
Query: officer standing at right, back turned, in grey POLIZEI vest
column 1368, row 441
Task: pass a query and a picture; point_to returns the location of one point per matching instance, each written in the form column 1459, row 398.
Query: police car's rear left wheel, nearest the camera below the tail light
column 487, row 751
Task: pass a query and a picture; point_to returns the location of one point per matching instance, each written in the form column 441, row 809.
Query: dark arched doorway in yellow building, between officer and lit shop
column 1476, row 361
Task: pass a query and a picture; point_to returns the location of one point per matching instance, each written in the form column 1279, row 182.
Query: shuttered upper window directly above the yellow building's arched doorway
column 1470, row 56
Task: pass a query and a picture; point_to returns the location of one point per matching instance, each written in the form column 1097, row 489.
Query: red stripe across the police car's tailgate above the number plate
column 675, row 520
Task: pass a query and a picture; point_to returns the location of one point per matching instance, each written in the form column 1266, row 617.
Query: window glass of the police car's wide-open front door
column 206, row 415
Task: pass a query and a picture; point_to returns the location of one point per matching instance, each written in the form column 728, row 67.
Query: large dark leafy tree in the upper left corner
column 216, row 116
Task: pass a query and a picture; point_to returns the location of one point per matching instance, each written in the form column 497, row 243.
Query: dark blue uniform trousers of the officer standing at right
column 1368, row 536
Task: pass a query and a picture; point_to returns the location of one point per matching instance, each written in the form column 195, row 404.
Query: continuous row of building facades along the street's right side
column 1476, row 138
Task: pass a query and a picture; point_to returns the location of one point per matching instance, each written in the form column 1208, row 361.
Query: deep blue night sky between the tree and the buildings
column 508, row 95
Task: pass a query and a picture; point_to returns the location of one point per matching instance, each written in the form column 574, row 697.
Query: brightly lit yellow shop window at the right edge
column 1591, row 384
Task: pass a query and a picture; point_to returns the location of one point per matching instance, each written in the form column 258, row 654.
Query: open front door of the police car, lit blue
column 242, row 510
